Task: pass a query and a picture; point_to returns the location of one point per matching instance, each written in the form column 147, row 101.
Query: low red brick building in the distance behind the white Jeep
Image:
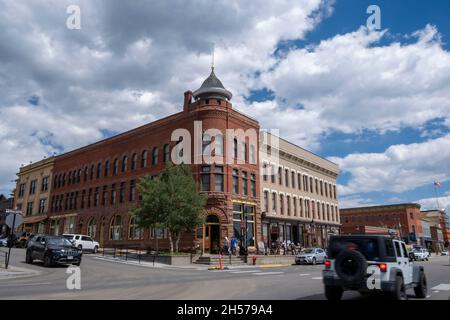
column 402, row 218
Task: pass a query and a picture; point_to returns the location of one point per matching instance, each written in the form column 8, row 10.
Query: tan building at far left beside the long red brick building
column 32, row 194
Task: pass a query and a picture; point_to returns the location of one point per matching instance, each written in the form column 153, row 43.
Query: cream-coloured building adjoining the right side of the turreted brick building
column 299, row 200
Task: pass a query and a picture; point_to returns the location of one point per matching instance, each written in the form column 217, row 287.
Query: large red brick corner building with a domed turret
column 94, row 187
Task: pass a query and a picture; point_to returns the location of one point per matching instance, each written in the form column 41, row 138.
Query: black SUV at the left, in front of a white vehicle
column 52, row 250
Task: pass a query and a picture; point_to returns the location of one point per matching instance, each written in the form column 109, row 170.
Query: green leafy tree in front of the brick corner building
column 172, row 201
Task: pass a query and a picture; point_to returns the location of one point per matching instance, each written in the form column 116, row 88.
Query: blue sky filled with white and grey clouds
column 377, row 102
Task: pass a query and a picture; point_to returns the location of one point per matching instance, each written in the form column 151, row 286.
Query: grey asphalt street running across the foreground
column 101, row 279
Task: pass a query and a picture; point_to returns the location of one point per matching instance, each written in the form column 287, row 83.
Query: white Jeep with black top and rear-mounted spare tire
column 347, row 268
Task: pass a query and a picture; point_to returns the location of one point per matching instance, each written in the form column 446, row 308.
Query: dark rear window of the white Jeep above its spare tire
column 367, row 246
